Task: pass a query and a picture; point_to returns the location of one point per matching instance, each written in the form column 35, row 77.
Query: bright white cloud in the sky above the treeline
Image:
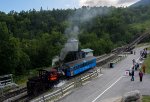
column 117, row 3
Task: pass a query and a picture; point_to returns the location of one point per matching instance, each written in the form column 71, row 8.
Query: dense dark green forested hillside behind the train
column 30, row 39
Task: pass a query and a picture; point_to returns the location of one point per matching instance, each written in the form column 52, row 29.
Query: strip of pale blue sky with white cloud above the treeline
column 19, row 5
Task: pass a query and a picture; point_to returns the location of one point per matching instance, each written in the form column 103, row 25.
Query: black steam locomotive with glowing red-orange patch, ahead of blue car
column 41, row 83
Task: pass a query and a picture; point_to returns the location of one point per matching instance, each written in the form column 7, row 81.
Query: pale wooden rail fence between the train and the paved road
column 63, row 91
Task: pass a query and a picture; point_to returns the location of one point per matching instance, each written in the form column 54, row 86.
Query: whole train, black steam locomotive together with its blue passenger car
column 75, row 63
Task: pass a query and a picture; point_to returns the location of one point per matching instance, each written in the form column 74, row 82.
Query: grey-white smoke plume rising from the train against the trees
column 80, row 16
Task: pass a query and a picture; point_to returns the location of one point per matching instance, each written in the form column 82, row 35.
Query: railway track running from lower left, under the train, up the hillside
column 21, row 93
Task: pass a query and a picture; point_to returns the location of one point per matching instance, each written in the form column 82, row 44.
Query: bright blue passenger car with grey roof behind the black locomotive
column 79, row 66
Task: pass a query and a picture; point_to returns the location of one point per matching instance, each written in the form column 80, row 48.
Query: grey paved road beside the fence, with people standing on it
column 112, row 83
